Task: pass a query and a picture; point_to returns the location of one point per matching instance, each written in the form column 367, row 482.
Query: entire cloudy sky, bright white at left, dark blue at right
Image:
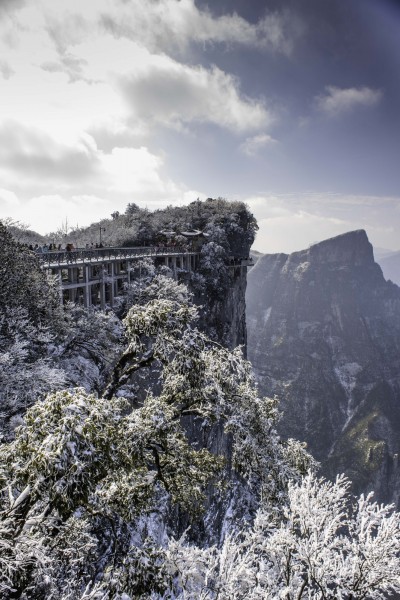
column 292, row 106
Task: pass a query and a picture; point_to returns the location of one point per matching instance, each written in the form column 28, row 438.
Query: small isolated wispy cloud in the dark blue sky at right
column 338, row 100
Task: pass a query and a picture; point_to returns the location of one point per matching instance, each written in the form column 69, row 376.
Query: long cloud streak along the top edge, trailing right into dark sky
column 168, row 25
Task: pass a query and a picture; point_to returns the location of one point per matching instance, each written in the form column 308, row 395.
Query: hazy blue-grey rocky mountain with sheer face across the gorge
column 324, row 336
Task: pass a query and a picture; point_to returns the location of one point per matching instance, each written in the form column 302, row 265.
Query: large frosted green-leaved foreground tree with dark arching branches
column 87, row 482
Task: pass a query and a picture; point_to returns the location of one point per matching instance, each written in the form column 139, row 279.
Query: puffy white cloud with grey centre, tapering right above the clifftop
column 173, row 94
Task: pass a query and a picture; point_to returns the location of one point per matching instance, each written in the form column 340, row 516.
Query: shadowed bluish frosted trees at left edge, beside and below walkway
column 44, row 347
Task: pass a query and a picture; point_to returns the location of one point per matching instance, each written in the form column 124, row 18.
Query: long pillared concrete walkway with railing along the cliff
column 96, row 277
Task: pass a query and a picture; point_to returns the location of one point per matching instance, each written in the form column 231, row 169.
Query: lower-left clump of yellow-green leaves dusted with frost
column 78, row 473
